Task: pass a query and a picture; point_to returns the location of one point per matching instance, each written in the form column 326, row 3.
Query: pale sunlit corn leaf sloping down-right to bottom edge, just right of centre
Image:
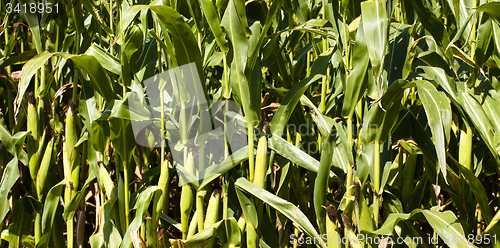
column 286, row 208
